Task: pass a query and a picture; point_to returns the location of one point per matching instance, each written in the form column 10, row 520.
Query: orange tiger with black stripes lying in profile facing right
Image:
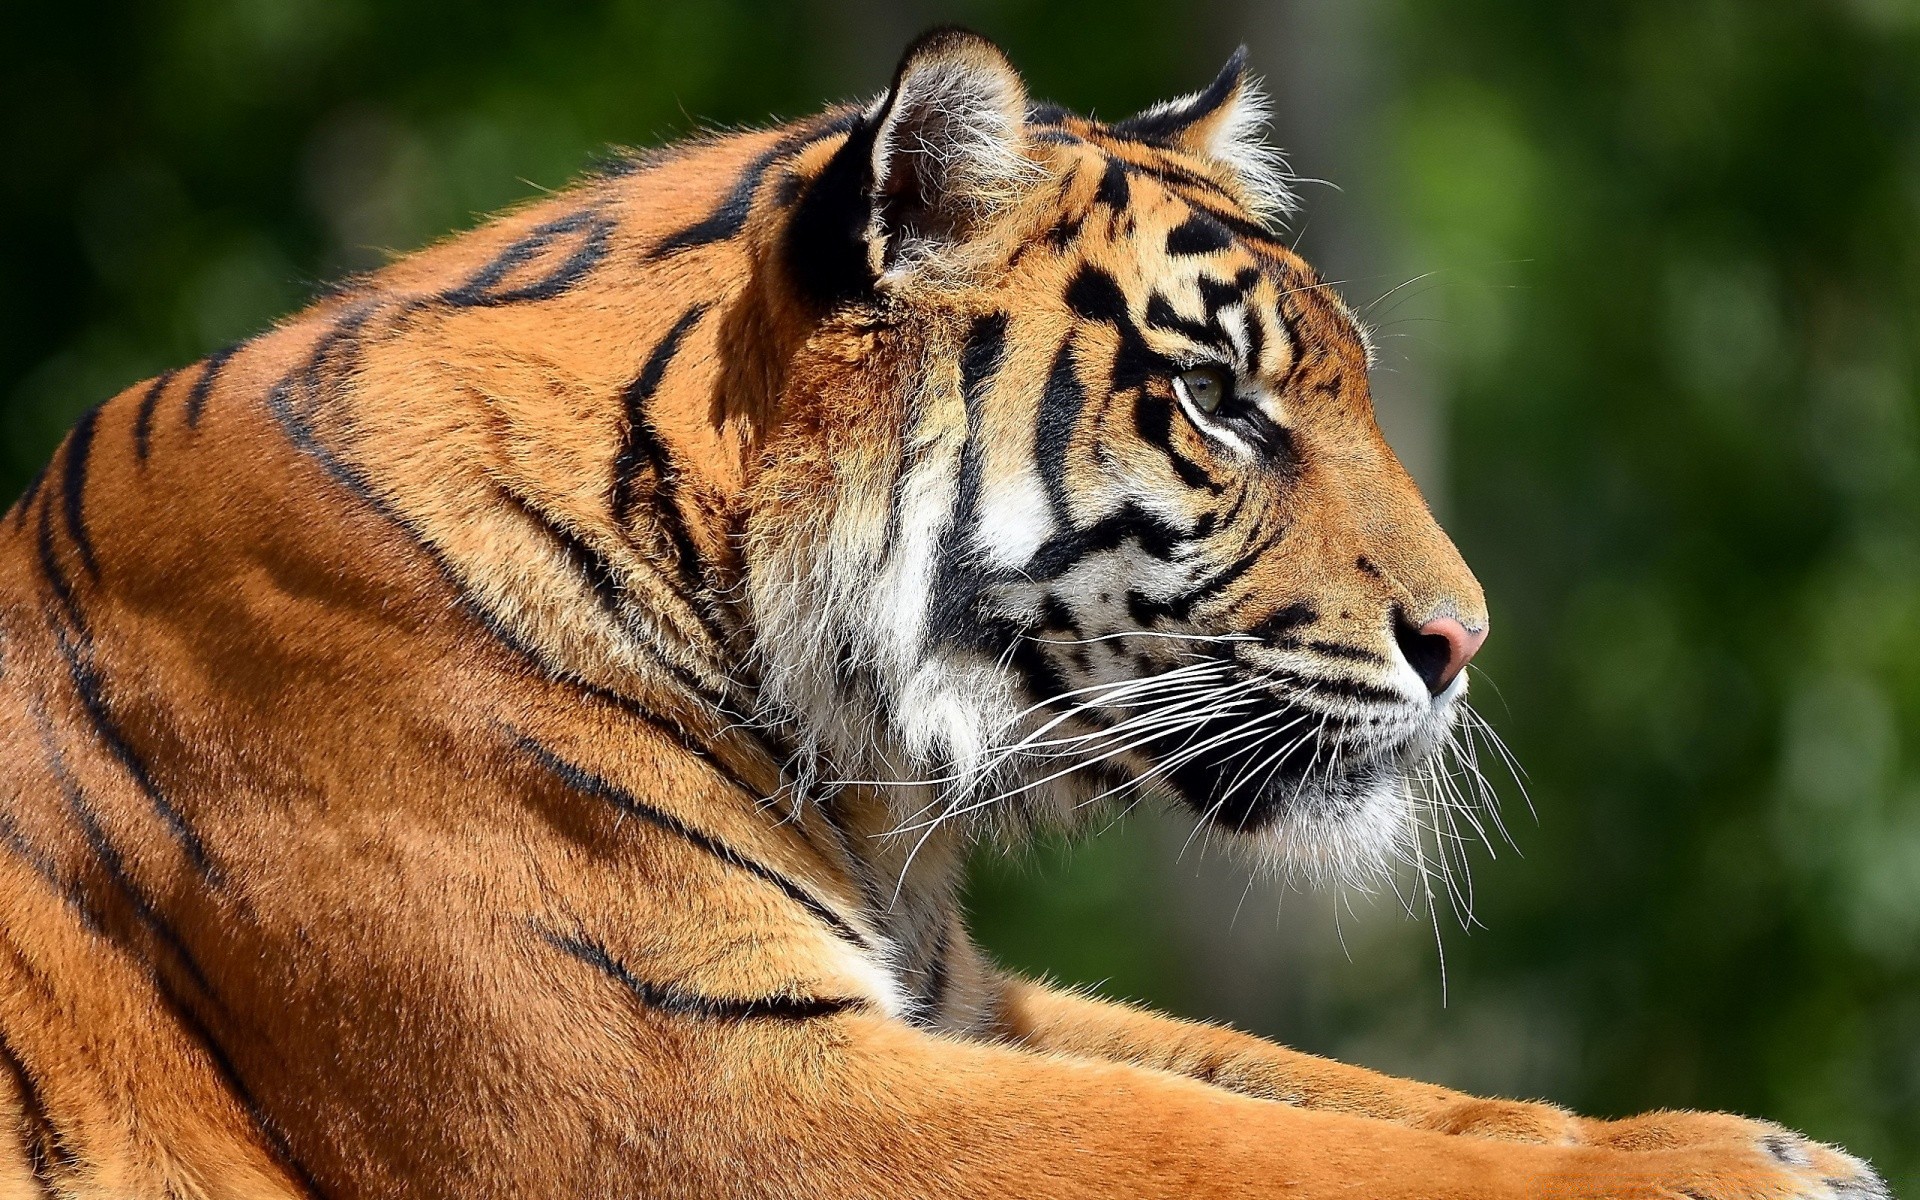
column 517, row 727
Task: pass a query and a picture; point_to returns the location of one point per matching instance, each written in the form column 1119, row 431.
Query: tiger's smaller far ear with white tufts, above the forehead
column 1226, row 122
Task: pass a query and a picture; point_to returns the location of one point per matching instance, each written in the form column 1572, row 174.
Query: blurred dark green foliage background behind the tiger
column 1658, row 372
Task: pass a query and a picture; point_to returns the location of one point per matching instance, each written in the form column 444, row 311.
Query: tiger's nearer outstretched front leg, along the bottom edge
column 865, row 1107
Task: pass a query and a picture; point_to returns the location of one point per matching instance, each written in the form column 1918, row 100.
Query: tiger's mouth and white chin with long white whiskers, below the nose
column 1314, row 786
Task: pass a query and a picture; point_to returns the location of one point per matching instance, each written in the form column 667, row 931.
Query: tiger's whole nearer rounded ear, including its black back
column 928, row 166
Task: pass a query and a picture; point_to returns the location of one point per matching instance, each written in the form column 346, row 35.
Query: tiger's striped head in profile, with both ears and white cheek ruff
column 1078, row 489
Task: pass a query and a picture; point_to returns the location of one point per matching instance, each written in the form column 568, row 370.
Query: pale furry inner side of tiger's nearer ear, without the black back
column 948, row 149
